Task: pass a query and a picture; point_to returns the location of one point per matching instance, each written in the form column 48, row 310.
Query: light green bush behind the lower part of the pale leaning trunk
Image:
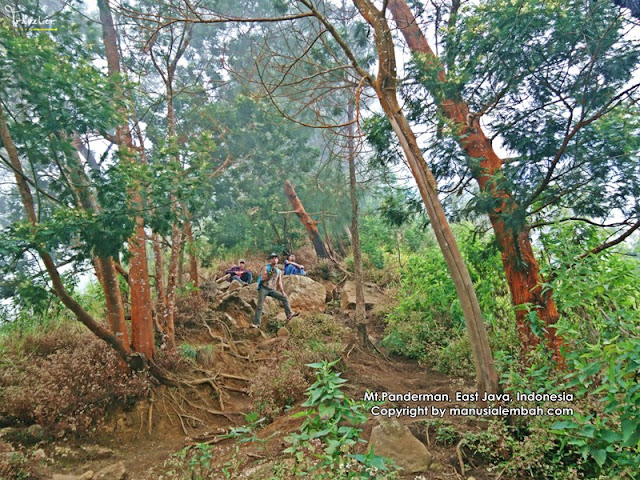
column 428, row 323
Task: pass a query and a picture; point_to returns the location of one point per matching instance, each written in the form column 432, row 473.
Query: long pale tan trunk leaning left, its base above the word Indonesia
column 386, row 90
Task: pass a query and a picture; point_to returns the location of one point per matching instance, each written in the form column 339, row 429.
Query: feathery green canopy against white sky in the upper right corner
column 552, row 74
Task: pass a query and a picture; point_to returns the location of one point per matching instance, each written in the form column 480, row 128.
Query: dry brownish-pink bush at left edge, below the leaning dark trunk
column 68, row 385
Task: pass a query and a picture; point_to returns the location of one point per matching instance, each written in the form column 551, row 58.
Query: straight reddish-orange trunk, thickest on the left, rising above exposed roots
column 141, row 305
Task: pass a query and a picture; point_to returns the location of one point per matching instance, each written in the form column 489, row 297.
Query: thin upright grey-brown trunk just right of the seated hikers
column 360, row 315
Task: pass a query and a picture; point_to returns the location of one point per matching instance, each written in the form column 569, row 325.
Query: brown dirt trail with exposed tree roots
column 187, row 416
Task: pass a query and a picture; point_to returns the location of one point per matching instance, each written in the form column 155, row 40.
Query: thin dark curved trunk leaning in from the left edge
column 58, row 286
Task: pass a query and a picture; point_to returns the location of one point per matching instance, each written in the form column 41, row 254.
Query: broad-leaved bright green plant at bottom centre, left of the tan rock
column 329, row 431
